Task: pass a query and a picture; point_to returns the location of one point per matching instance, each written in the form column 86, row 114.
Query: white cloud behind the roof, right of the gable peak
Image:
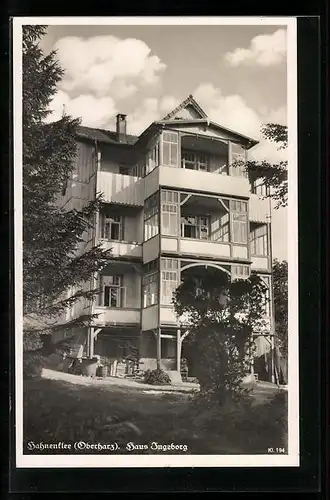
column 233, row 112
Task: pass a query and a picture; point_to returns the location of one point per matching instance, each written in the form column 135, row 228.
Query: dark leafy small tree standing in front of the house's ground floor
column 221, row 317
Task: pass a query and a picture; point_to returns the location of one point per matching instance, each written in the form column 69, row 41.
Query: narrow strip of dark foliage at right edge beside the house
column 280, row 289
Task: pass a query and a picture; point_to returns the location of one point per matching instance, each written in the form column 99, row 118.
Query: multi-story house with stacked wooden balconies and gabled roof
column 173, row 204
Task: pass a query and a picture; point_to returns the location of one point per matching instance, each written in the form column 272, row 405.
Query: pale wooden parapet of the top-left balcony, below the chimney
column 119, row 188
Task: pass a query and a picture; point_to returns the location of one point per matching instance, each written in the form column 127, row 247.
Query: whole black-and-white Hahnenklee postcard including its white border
column 156, row 242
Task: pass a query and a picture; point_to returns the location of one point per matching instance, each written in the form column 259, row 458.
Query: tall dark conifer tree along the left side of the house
column 54, row 256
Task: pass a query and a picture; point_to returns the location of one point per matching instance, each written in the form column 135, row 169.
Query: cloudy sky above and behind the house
column 236, row 73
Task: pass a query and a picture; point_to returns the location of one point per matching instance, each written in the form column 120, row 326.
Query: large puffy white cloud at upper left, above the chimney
column 106, row 65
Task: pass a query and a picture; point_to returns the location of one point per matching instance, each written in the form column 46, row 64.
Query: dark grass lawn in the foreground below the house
column 57, row 411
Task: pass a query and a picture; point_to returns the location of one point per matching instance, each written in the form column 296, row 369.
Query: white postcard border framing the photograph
column 114, row 461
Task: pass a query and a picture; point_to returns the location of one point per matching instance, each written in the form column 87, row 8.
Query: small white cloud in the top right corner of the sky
column 264, row 50
